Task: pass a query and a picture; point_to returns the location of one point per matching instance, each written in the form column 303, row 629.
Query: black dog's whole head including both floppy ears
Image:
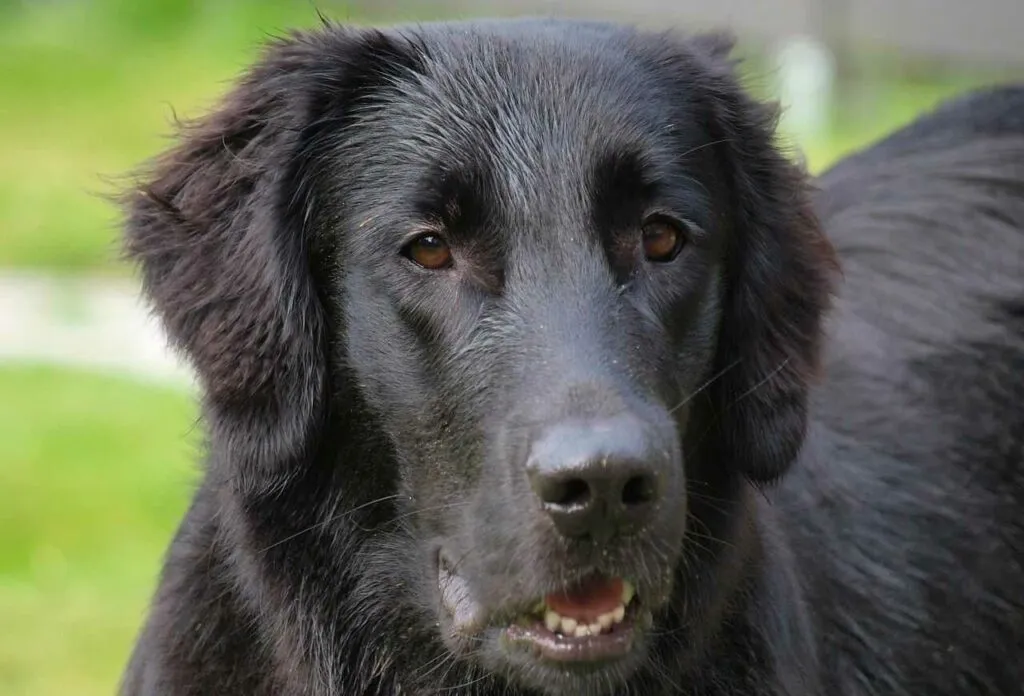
column 507, row 314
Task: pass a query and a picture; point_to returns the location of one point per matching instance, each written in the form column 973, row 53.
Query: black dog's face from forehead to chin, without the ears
column 532, row 289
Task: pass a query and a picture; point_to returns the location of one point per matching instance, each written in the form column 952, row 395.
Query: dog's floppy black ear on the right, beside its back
column 779, row 278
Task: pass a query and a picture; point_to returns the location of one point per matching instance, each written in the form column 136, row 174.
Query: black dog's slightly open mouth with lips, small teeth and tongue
column 592, row 622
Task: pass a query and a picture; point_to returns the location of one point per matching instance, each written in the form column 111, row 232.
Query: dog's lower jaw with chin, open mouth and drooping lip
column 588, row 639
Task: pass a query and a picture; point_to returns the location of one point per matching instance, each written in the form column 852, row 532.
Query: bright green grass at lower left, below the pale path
column 95, row 475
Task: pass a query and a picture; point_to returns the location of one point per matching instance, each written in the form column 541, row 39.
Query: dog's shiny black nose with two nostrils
column 599, row 480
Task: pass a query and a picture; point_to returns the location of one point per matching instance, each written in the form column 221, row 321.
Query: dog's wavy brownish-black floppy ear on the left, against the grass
column 222, row 230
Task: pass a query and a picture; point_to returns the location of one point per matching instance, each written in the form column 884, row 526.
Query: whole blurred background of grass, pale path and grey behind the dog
column 98, row 422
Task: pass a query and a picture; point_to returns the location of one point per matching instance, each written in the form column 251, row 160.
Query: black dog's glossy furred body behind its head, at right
column 909, row 508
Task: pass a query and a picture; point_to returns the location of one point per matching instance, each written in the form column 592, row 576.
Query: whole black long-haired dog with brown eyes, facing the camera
column 506, row 328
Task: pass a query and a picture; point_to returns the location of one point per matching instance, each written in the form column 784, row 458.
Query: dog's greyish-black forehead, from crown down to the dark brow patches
column 533, row 109
